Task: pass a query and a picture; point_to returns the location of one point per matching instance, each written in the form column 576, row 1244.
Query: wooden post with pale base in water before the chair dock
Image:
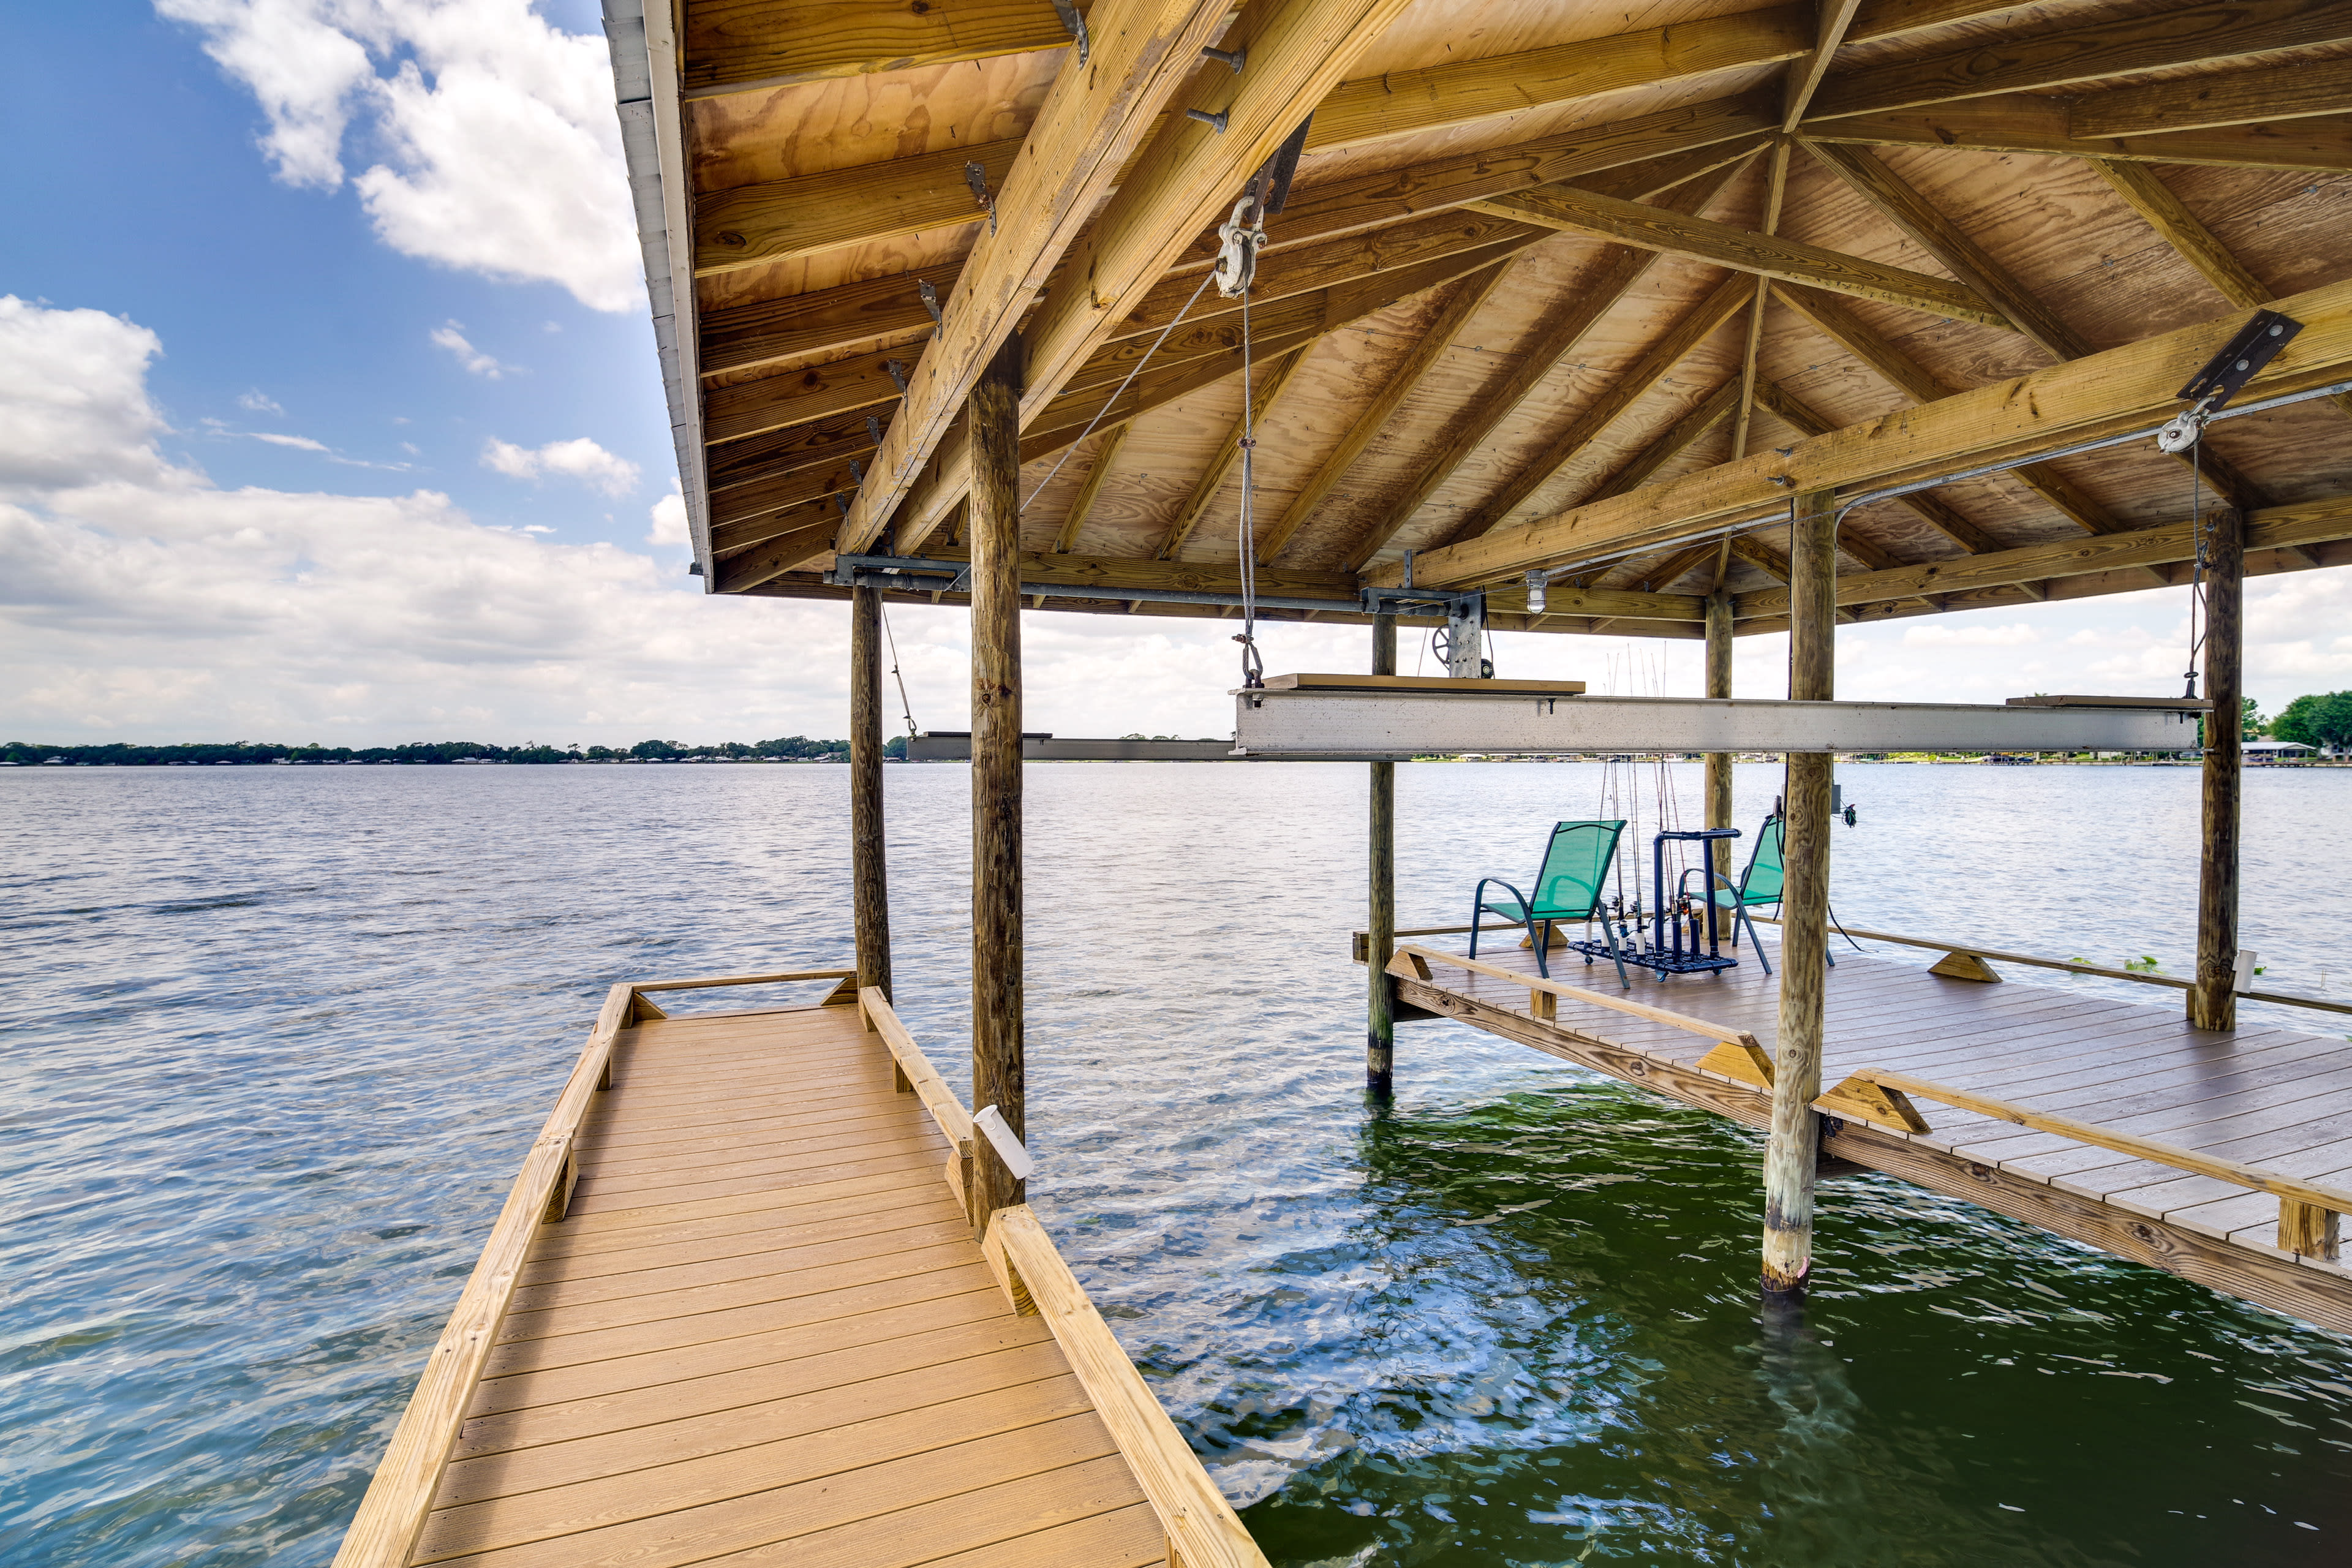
column 1805, row 909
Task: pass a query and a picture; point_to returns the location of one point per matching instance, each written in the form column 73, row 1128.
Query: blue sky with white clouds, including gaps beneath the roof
column 330, row 413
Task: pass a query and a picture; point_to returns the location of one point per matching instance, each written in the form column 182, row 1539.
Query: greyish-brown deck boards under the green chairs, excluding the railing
column 2264, row 1097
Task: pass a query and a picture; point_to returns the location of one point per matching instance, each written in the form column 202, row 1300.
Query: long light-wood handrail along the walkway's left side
column 394, row 1510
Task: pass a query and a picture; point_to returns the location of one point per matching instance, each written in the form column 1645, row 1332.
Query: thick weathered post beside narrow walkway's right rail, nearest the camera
column 996, row 775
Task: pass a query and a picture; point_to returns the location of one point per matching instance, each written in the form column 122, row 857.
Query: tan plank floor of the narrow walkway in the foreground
column 766, row 1334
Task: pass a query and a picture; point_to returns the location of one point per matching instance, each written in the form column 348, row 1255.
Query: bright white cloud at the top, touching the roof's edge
column 500, row 145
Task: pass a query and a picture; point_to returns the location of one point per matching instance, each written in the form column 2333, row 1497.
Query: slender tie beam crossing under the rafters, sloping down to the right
column 1671, row 234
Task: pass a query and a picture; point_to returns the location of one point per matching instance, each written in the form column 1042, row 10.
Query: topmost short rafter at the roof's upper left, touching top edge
column 742, row 46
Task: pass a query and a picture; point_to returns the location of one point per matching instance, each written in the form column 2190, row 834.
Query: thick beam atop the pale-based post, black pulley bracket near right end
column 2104, row 396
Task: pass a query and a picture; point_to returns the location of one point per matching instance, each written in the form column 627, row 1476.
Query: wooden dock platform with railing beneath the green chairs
column 2174, row 1144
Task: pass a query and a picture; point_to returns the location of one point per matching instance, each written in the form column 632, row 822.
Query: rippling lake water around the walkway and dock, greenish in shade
column 279, row 1038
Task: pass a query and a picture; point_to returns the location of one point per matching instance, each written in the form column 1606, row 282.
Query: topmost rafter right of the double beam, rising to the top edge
column 1405, row 102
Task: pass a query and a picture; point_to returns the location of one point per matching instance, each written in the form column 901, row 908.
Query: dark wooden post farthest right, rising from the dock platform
column 2212, row 1000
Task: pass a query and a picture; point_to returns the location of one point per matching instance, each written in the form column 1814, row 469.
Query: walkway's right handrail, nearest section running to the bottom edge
column 1201, row 1527
